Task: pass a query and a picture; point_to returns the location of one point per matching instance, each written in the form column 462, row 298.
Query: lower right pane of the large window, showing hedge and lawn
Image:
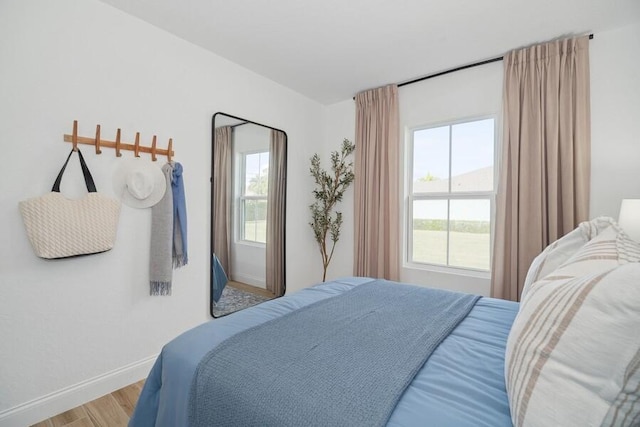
column 470, row 234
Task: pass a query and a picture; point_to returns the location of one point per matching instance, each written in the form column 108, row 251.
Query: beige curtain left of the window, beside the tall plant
column 377, row 203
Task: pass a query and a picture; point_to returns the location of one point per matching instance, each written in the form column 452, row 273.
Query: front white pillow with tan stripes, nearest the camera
column 573, row 353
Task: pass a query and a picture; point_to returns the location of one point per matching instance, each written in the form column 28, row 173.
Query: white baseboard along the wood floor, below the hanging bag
column 67, row 398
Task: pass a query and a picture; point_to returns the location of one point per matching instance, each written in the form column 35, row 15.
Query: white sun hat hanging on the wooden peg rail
column 139, row 183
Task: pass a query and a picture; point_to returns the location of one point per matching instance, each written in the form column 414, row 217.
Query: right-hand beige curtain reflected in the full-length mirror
column 276, row 212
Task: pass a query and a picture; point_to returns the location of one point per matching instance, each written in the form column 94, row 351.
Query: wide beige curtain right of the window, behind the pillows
column 543, row 190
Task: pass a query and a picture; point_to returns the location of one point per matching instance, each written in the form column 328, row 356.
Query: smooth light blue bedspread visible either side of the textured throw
column 462, row 383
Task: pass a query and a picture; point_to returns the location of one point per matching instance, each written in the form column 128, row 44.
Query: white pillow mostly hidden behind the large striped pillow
column 558, row 252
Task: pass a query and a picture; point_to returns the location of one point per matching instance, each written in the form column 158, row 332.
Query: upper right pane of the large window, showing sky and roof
column 472, row 156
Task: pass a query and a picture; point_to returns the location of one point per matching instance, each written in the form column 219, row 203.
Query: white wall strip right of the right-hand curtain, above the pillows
column 615, row 119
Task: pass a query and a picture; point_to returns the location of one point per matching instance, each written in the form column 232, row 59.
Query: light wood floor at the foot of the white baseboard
column 111, row 410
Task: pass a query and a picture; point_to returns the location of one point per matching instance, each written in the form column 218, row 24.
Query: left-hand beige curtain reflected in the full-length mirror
column 222, row 196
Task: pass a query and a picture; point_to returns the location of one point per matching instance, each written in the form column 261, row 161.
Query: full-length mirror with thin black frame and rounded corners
column 248, row 199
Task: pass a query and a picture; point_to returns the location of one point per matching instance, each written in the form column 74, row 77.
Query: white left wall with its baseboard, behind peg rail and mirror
column 74, row 329
